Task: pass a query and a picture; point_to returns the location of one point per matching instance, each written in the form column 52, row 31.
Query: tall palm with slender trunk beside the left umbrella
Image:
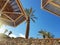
column 30, row 15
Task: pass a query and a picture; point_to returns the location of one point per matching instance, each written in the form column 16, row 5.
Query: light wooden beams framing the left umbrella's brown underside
column 20, row 8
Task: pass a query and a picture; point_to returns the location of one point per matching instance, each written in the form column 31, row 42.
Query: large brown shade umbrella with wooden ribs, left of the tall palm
column 11, row 12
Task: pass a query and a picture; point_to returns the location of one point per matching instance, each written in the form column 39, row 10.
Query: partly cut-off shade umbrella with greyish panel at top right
column 52, row 6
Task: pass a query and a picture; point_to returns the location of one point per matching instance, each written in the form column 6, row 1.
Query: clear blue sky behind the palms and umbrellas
column 46, row 21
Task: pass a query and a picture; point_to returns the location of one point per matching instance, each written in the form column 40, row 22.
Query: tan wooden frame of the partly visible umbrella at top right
column 52, row 3
